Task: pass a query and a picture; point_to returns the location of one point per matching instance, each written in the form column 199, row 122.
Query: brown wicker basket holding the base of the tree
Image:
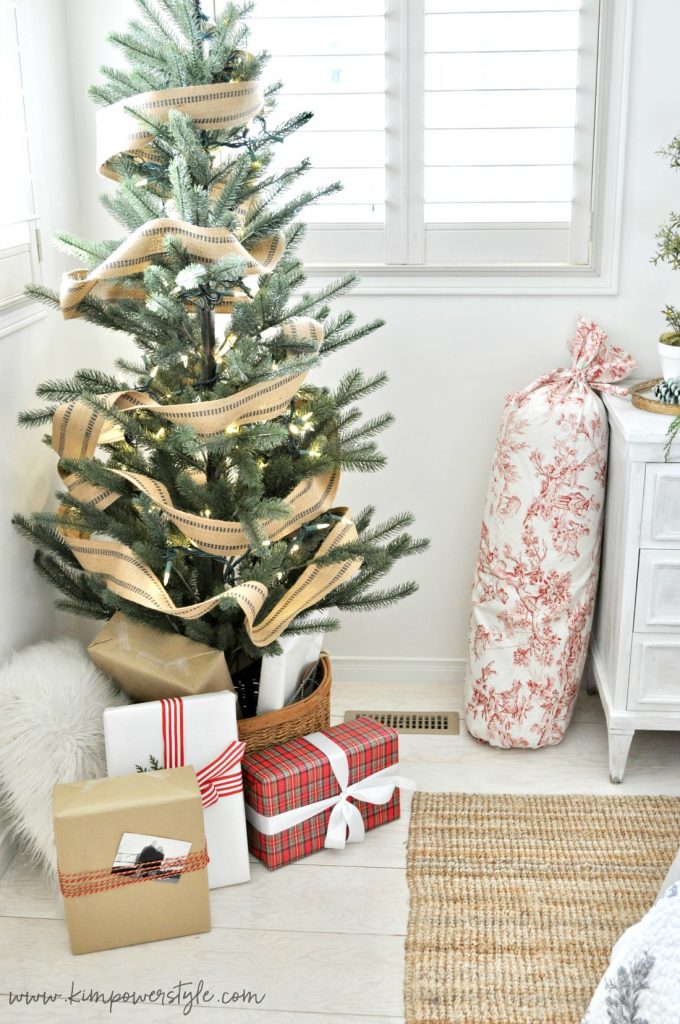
column 297, row 720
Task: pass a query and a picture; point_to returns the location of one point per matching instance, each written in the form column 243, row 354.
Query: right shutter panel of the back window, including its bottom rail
column 509, row 90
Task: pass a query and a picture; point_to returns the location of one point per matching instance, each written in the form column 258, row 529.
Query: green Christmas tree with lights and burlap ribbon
column 200, row 481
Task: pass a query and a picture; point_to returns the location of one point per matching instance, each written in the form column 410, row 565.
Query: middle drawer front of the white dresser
column 658, row 600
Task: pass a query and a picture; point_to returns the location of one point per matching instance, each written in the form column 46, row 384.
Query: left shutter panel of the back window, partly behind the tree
column 331, row 58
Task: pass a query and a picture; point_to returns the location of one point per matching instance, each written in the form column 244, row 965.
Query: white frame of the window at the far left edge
column 21, row 312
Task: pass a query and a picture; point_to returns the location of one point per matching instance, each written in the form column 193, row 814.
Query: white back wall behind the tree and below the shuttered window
column 451, row 360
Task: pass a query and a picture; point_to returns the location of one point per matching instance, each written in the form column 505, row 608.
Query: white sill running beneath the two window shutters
column 489, row 280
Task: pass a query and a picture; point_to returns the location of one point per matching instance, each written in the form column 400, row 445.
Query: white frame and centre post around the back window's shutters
column 594, row 237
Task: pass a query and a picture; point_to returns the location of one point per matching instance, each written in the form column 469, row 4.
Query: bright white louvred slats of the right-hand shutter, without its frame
column 500, row 111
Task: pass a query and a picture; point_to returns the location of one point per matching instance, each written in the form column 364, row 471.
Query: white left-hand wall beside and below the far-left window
column 29, row 356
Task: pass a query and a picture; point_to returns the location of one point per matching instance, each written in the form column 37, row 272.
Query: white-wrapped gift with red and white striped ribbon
column 201, row 732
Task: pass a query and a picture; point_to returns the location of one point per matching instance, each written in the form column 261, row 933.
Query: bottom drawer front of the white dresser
column 655, row 679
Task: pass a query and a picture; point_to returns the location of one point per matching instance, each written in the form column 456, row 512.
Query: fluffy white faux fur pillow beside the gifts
column 52, row 701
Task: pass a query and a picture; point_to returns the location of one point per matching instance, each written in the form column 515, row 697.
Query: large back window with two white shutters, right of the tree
column 464, row 132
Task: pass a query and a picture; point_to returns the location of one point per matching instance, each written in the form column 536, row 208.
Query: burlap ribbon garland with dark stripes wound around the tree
column 78, row 429
